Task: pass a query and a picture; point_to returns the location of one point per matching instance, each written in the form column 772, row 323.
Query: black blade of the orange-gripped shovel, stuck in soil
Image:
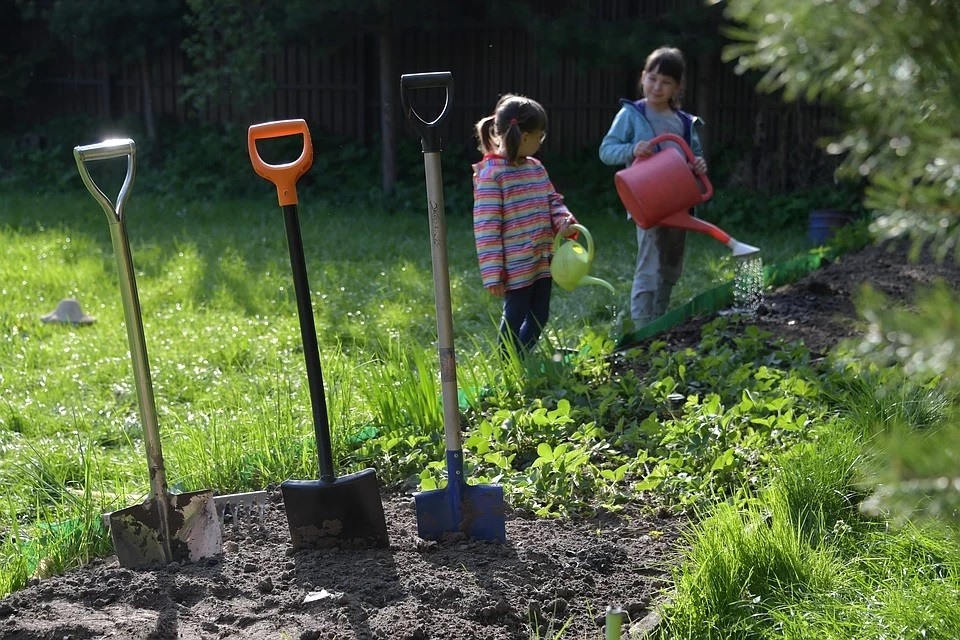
column 345, row 512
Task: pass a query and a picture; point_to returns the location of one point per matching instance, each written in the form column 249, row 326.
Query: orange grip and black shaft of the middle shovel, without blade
column 285, row 178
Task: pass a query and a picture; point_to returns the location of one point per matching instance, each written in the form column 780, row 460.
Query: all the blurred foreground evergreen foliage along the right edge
column 890, row 65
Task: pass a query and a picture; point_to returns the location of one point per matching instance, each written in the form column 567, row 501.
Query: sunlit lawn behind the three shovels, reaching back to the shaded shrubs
column 223, row 340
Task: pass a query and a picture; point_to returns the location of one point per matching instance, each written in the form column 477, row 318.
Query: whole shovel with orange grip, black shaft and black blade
column 329, row 511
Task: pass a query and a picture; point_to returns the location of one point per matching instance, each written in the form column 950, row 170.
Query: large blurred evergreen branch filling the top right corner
column 892, row 66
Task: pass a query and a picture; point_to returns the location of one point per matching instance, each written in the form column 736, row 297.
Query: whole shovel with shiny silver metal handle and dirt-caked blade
column 166, row 527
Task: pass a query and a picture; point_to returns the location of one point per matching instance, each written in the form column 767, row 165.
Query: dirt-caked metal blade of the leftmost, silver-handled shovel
column 137, row 531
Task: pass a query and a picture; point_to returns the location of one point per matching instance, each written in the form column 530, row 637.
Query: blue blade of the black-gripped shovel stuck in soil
column 474, row 510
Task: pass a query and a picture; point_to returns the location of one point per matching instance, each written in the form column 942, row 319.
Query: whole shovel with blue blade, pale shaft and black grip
column 476, row 510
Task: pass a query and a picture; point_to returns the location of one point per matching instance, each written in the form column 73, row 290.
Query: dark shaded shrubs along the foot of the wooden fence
column 197, row 161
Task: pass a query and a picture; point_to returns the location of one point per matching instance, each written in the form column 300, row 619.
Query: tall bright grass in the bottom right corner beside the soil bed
column 803, row 562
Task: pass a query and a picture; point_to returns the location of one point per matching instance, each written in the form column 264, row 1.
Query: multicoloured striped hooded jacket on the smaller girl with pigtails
column 516, row 213
